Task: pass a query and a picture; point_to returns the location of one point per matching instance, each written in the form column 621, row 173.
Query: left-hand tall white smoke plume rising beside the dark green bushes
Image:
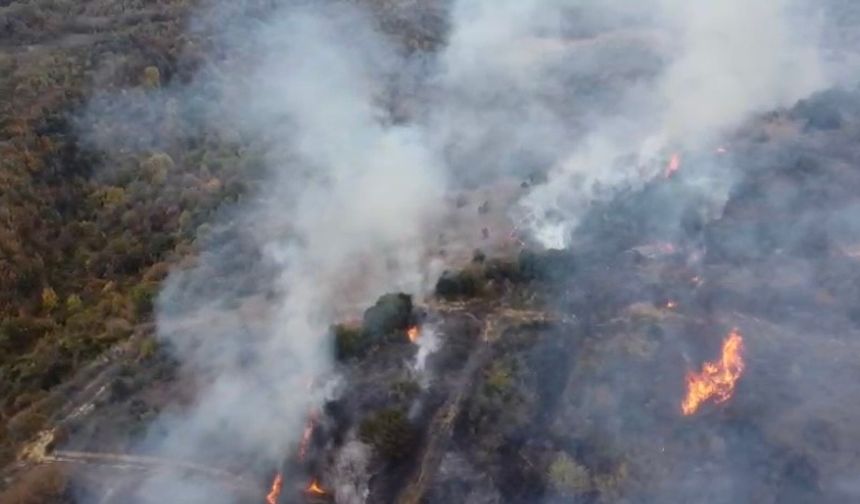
column 340, row 221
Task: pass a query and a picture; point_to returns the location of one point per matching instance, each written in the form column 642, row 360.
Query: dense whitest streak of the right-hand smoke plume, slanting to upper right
column 719, row 64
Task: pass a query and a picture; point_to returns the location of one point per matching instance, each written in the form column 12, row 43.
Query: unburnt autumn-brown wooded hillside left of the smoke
column 86, row 237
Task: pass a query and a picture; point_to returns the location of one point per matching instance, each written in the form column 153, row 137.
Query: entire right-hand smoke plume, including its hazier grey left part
column 693, row 70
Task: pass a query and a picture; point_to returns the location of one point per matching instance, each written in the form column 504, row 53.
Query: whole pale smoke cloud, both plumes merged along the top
column 591, row 97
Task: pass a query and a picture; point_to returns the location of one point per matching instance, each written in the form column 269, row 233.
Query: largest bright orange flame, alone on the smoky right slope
column 717, row 379
